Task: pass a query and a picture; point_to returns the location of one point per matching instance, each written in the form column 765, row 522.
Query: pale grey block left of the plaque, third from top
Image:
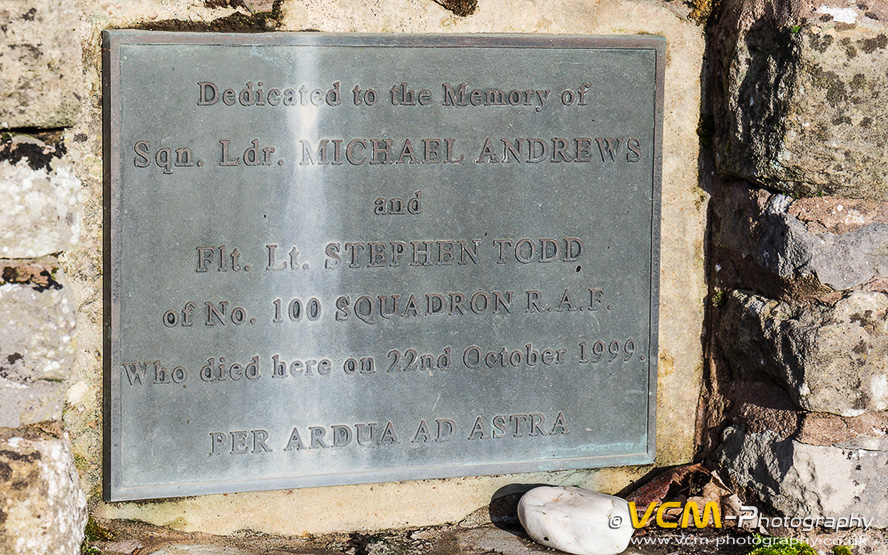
column 36, row 352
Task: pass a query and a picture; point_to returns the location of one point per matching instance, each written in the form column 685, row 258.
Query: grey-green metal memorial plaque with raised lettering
column 340, row 259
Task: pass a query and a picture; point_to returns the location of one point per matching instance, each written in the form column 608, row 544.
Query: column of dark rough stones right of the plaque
column 798, row 386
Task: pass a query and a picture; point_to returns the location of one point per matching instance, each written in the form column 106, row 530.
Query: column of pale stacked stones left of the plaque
column 42, row 506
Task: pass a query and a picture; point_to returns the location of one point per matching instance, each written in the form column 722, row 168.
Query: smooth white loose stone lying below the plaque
column 576, row 520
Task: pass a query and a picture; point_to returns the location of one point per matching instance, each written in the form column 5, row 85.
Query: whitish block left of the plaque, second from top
column 41, row 210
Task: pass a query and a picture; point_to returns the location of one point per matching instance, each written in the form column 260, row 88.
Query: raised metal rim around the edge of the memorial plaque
column 112, row 40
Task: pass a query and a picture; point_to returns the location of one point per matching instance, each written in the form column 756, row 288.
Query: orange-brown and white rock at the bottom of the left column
column 42, row 508
